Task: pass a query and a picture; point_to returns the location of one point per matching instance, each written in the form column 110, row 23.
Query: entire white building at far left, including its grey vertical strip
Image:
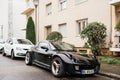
column 11, row 18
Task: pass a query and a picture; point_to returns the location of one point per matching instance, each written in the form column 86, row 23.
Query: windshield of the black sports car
column 63, row 46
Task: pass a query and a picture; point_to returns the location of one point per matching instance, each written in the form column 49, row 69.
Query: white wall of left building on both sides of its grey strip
column 19, row 20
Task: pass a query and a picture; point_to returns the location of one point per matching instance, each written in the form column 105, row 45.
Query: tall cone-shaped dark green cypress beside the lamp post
column 30, row 30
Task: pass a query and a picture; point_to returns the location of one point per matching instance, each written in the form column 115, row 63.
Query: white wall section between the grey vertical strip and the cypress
column 19, row 20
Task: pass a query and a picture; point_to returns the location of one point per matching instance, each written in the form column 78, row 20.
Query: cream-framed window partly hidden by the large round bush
column 81, row 24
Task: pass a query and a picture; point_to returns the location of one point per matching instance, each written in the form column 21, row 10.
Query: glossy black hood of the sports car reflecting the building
column 78, row 57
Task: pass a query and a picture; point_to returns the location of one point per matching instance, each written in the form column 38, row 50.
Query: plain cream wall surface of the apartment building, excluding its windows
column 94, row 10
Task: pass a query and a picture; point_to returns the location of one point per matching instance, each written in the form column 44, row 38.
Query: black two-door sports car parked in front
column 62, row 58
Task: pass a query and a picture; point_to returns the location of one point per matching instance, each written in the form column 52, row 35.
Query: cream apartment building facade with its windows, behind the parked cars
column 71, row 16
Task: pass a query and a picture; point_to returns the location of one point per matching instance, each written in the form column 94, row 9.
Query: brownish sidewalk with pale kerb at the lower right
column 111, row 70
